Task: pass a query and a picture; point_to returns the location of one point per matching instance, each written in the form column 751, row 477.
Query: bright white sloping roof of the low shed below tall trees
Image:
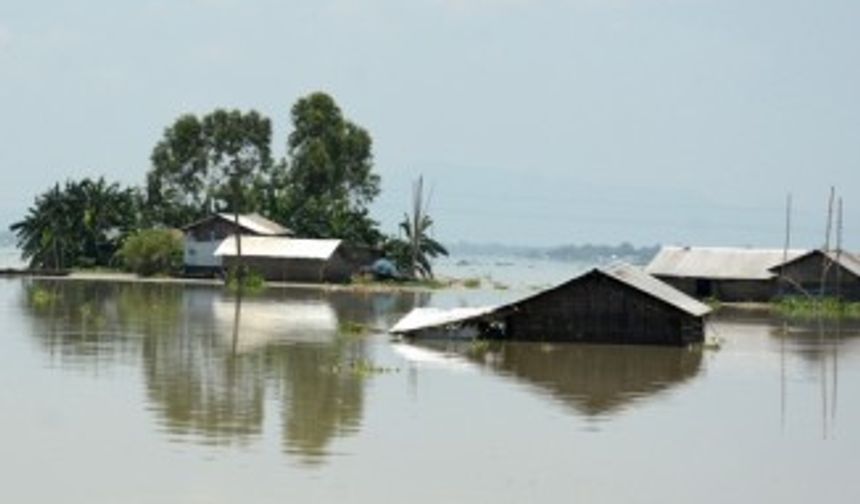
column 280, row 247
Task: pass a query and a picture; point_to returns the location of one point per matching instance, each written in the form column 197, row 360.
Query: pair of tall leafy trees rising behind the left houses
column 219, row 162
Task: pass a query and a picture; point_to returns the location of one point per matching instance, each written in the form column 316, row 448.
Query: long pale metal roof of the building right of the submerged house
column 718, row 262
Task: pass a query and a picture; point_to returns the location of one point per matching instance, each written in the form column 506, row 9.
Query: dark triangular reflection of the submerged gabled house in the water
column 596, row 380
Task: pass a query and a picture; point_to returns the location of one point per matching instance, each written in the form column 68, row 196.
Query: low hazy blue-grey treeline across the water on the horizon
column 569, row 253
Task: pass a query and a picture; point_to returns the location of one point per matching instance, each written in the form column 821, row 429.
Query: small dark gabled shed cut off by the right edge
column 803, row 275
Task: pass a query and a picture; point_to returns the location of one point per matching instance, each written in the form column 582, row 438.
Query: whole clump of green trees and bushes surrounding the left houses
column 223, row 162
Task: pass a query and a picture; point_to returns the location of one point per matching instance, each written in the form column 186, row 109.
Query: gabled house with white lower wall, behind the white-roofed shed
column 204, row 236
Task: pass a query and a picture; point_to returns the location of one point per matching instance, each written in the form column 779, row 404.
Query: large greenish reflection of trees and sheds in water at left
column 211, row 360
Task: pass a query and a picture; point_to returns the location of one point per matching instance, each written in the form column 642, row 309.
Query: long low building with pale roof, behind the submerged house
column 725, row 273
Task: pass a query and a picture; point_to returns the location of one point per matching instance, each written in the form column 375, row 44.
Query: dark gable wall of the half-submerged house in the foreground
column 599, row 309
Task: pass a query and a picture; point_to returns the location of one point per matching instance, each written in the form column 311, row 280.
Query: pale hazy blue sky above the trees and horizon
column 536, row 122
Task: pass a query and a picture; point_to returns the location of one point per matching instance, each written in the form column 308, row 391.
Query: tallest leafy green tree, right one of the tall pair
column 325, row 188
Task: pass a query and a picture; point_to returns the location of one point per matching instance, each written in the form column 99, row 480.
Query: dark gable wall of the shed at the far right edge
column 806, row 273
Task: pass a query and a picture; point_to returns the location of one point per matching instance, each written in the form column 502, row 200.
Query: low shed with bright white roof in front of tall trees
column 284, row 259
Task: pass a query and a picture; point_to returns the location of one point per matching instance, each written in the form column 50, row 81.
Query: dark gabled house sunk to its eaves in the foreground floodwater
column 618, row 304
